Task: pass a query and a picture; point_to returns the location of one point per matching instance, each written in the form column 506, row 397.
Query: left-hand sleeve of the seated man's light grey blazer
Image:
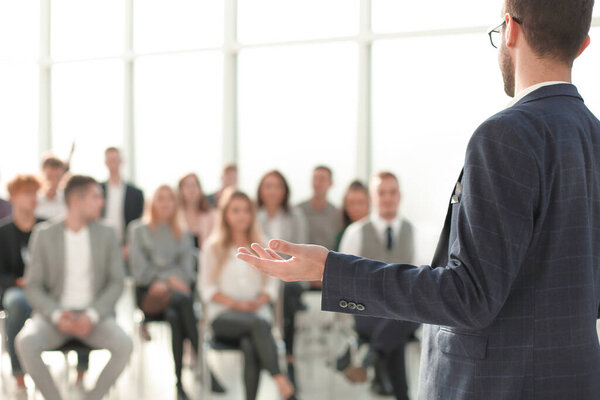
column 36, row 273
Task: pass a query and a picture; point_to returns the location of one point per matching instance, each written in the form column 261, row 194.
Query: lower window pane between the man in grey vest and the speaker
column 429, row 95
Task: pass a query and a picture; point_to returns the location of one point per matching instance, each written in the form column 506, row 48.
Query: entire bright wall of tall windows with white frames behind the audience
column 187, row 85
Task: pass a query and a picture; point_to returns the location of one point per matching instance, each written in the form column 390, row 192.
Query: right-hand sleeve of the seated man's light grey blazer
column 105, row 302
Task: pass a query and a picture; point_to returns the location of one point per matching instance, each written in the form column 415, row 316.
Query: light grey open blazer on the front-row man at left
column 45, row 273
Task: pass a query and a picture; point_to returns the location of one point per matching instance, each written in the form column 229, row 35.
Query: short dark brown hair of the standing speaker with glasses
column 553, row 28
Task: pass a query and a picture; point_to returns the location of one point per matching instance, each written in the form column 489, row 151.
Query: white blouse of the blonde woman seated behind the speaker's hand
column 237, row 280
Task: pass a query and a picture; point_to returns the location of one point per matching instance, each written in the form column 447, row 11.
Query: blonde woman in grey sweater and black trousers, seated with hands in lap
column 162, row 265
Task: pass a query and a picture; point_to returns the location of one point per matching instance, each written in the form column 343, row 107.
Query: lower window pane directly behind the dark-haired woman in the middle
column 304, row 117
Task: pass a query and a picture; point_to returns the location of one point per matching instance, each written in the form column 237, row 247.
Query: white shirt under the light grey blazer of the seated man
column 78, row 283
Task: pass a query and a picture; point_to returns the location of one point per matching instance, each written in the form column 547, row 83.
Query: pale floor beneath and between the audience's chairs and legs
column 321, row 338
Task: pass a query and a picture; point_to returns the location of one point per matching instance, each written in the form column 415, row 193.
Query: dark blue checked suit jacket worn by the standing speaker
column 513, row 297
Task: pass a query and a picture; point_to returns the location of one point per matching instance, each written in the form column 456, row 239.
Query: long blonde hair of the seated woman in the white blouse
column 221, row 239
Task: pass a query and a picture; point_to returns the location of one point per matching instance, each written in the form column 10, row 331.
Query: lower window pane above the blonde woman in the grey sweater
column 178, row 118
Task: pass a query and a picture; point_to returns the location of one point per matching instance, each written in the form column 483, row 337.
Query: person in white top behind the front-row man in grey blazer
column 51, row 200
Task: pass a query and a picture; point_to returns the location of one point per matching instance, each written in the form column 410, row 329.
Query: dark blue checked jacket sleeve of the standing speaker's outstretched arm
column 492, row 226
